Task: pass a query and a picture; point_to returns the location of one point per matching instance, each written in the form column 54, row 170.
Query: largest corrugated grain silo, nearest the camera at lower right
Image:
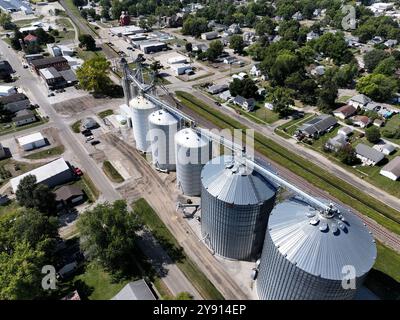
column 307, row 254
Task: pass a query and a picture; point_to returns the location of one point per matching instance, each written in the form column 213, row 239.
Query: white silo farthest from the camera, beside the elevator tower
column 141, row 108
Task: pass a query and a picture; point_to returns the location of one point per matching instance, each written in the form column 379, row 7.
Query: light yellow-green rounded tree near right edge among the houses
column 377, row 86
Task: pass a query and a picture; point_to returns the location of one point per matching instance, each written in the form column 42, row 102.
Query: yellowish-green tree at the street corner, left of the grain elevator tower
column 93, row 75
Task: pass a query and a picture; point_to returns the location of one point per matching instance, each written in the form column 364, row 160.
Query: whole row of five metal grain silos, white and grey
column 303, row 253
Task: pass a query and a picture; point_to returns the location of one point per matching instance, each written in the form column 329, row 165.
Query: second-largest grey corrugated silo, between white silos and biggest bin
column 235, row 206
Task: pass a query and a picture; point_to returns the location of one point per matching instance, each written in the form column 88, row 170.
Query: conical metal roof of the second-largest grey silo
column 228, row 181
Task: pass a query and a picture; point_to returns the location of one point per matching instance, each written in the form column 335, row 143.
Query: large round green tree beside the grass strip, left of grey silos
column 108, row 236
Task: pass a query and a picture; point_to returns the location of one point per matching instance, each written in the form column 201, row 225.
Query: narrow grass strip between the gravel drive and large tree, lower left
column 175, row 251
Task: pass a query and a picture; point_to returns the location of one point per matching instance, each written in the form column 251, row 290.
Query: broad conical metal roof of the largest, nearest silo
column 321, row 245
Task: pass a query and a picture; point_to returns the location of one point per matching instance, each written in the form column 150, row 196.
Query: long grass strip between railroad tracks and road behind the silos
column 338, row 188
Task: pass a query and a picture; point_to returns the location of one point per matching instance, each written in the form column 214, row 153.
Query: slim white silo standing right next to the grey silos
column 192, row 152
